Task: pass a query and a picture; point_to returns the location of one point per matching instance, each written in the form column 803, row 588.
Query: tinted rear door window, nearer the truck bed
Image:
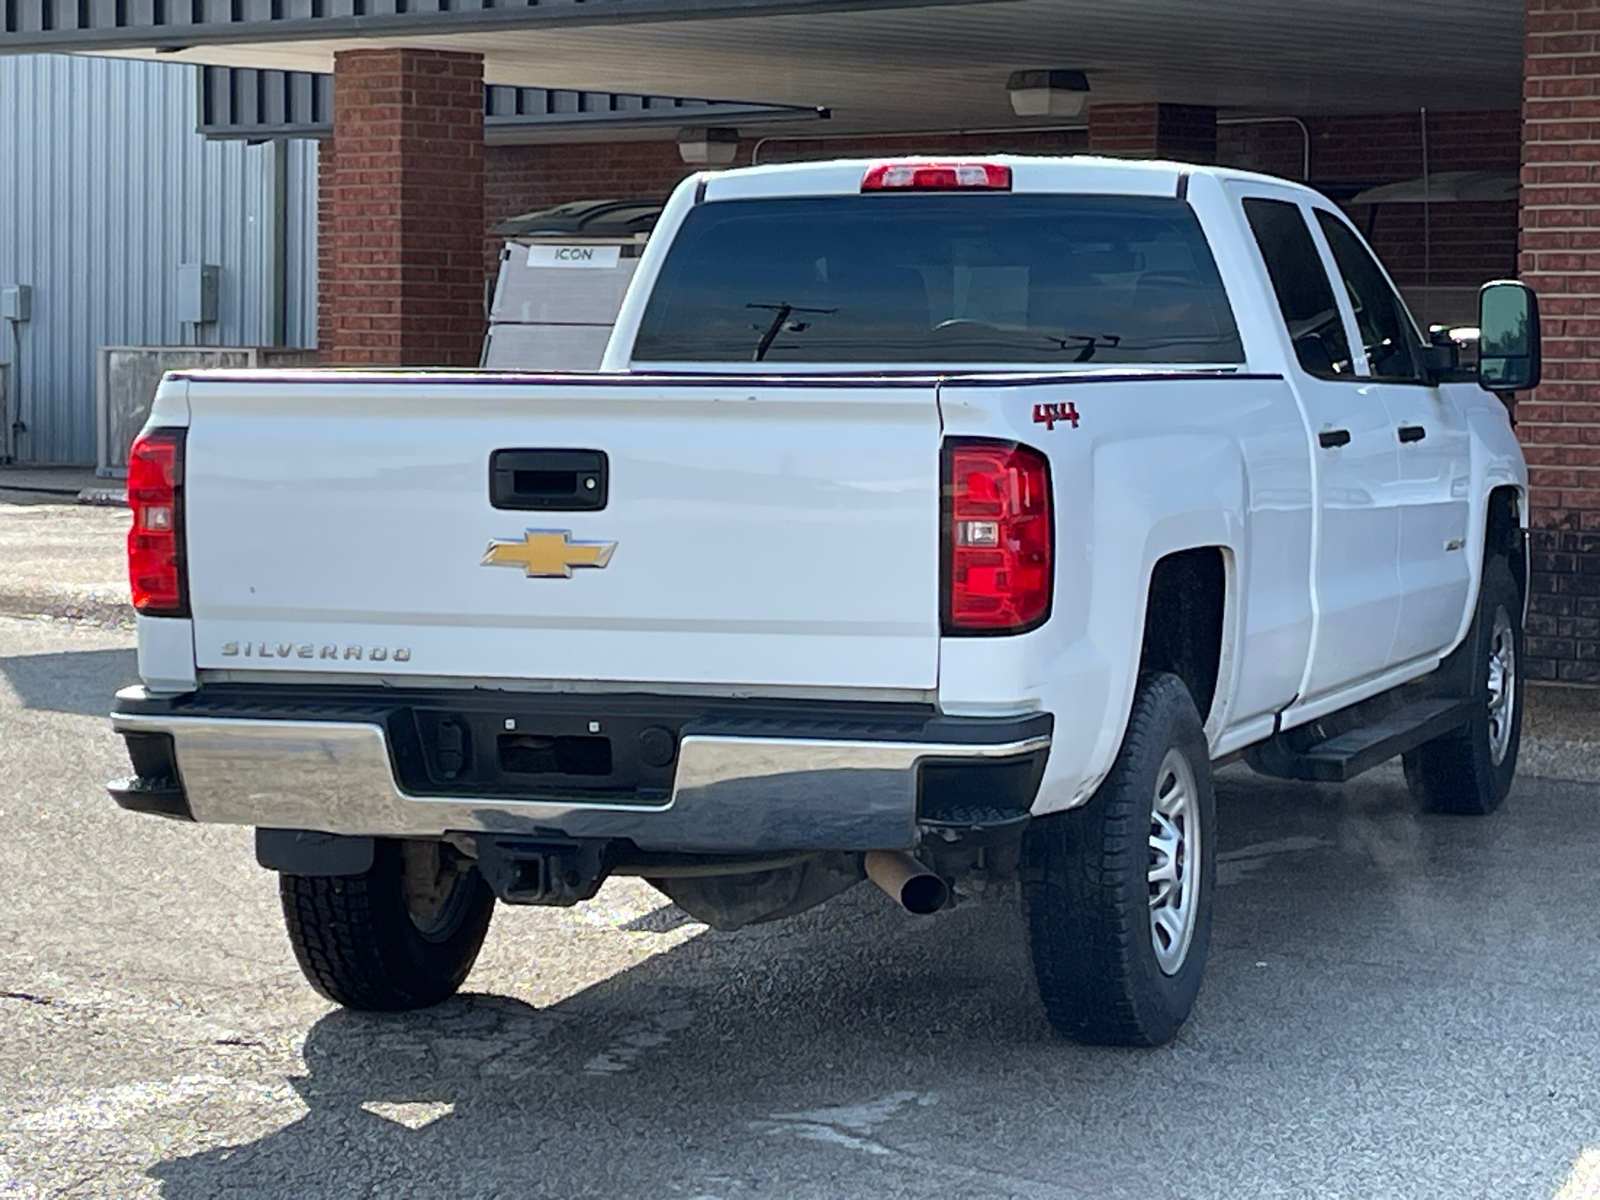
column 1302, row 286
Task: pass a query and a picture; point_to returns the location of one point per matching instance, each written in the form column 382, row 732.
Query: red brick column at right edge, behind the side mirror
column 1561, row 260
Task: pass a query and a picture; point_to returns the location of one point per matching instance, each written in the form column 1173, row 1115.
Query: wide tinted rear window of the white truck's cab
column 940, row 279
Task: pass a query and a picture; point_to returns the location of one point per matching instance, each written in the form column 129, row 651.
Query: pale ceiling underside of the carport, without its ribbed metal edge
column 945, row 68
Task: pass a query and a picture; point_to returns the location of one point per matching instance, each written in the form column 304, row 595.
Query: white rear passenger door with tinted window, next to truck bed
column 1354, row 455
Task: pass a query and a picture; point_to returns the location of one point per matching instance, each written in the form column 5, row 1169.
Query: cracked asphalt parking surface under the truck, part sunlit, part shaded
column 1396, row 1006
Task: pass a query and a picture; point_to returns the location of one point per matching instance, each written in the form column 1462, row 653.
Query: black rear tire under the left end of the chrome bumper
column 401, row 937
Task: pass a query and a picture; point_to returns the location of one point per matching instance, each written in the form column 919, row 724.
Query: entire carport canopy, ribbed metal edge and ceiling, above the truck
column 879, row 65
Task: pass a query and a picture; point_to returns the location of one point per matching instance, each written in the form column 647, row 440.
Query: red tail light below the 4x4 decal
column 999, row 538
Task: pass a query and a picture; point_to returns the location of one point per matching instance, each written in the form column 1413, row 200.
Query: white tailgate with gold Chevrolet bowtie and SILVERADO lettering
column 774, row 535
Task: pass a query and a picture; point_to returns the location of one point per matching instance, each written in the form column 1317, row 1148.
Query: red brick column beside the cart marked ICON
column 402, row 270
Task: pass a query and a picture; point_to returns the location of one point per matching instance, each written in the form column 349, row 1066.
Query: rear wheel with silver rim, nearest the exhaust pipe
column 1118, row 894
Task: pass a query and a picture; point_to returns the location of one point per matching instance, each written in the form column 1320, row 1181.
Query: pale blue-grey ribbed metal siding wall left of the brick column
column 105, row 191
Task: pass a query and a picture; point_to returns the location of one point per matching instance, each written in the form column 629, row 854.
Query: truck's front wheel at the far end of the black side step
column 1470, row 772
